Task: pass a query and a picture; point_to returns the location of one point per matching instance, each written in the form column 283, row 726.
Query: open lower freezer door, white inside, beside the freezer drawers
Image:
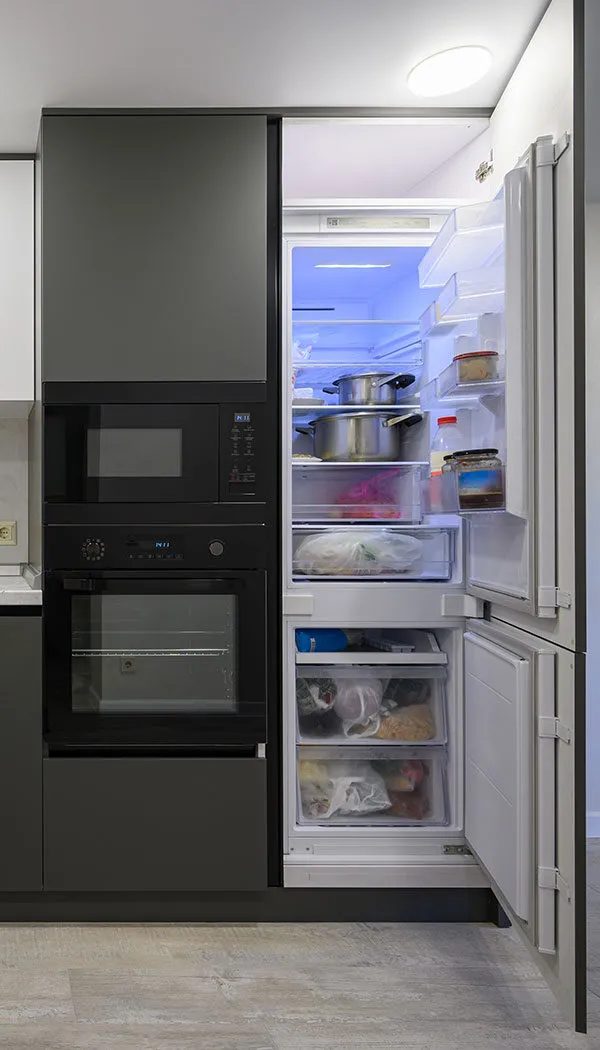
column 524, row 794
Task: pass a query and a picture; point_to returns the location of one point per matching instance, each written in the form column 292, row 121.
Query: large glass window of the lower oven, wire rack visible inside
column 154, row 654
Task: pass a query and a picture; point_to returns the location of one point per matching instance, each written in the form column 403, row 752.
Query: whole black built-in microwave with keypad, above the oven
column 197, row 445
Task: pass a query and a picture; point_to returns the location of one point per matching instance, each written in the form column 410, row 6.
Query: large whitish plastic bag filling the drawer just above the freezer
column 358, row 553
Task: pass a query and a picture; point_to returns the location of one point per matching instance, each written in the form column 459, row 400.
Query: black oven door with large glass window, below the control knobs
column 155, row 660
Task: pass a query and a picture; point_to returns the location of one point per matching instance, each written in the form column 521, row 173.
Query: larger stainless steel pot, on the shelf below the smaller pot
column 360, row 437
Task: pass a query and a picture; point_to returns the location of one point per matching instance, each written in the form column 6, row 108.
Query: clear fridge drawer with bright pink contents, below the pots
column 365, row 494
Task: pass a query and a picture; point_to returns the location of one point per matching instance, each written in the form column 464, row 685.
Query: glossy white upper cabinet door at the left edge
column 16, row 284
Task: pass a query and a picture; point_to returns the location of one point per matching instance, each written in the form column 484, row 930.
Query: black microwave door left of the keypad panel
column 132, row 453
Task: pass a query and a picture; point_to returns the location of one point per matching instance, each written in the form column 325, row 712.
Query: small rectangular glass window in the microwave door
column 134, row 453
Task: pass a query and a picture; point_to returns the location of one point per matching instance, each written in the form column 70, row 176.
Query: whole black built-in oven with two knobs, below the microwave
column 156, row 639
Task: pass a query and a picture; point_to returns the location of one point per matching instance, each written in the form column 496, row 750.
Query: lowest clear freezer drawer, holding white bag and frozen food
column 370, row 786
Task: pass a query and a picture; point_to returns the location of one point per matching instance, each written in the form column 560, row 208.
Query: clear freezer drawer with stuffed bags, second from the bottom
column 386, row 705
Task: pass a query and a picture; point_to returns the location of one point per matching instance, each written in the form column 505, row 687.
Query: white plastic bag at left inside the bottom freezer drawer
column 341, row 789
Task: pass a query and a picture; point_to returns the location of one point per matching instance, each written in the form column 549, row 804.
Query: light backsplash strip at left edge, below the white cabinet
column 14, row 487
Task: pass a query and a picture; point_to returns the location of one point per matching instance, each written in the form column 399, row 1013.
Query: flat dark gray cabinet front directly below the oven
column 152, row 825
